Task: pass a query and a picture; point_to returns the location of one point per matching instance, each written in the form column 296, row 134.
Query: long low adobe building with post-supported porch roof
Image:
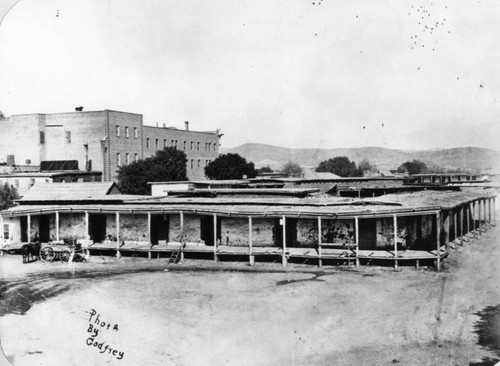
column 395, row 228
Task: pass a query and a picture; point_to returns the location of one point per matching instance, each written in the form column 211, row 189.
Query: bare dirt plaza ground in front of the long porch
column 202, row 313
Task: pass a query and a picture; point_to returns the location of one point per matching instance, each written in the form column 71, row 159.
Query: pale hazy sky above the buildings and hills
column 296, row 73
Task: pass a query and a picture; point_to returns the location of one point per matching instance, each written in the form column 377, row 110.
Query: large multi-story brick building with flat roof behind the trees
column 100, row 141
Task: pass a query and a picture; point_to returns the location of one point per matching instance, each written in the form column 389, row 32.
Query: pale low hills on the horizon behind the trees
column 469, row 158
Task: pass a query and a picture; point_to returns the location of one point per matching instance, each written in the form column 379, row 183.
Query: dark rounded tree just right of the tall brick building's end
column 230, row 166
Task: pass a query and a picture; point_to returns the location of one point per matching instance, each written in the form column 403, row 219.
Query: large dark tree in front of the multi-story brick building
column 168, row 164
